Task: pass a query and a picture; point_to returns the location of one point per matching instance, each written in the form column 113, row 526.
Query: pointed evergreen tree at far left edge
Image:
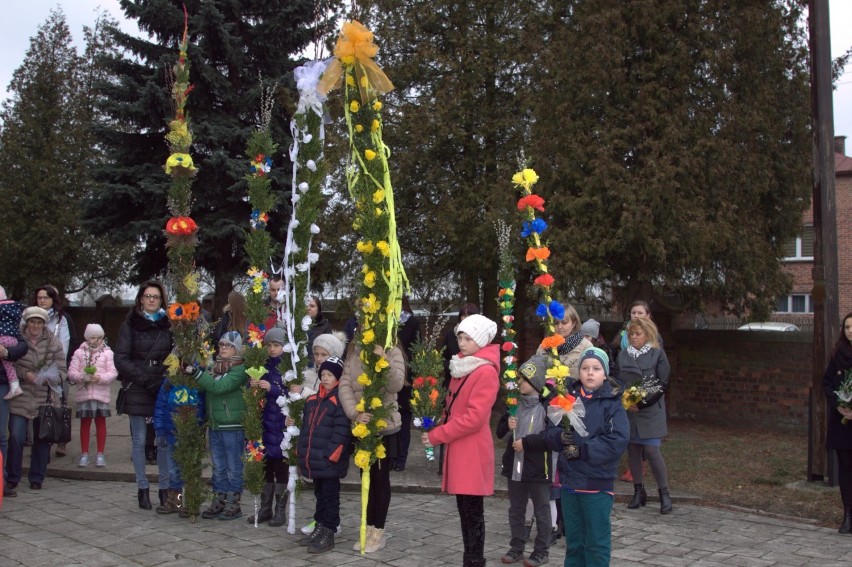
column 45, row 153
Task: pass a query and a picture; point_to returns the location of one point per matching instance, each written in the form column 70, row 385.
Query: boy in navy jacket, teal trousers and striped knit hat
column 588, row 464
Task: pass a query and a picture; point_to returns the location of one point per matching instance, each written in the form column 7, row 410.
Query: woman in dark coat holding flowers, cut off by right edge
column 839, row 435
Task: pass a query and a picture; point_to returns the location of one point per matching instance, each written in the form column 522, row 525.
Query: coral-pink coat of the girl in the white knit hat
column 466, row 431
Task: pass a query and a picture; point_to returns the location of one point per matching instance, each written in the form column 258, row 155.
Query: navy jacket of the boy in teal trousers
column 600, row 451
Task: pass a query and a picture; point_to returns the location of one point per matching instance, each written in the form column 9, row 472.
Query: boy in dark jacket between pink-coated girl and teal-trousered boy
column 530, row 473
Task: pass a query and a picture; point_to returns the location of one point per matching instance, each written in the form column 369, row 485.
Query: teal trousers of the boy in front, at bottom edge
column 588, row 532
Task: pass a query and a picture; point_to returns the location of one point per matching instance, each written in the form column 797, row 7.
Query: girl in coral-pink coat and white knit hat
column 466, row 430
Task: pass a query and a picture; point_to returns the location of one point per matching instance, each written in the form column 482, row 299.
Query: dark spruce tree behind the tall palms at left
column 232, row 45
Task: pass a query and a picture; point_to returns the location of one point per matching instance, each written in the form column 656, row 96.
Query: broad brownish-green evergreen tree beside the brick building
column 672, row 139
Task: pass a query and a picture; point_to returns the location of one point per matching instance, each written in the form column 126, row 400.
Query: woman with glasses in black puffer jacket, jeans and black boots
column 144, row 342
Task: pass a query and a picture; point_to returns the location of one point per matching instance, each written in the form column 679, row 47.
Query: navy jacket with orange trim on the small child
column 325, row 441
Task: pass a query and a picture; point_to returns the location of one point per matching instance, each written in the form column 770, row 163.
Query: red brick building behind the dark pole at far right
column 799, row 258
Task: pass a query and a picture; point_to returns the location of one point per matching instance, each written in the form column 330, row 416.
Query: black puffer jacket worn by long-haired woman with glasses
column 141, row 348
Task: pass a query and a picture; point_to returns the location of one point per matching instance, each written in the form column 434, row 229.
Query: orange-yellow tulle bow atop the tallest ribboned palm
column 355, row 47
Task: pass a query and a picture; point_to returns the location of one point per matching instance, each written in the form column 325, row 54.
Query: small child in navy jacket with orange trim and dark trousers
column 325, row 443
